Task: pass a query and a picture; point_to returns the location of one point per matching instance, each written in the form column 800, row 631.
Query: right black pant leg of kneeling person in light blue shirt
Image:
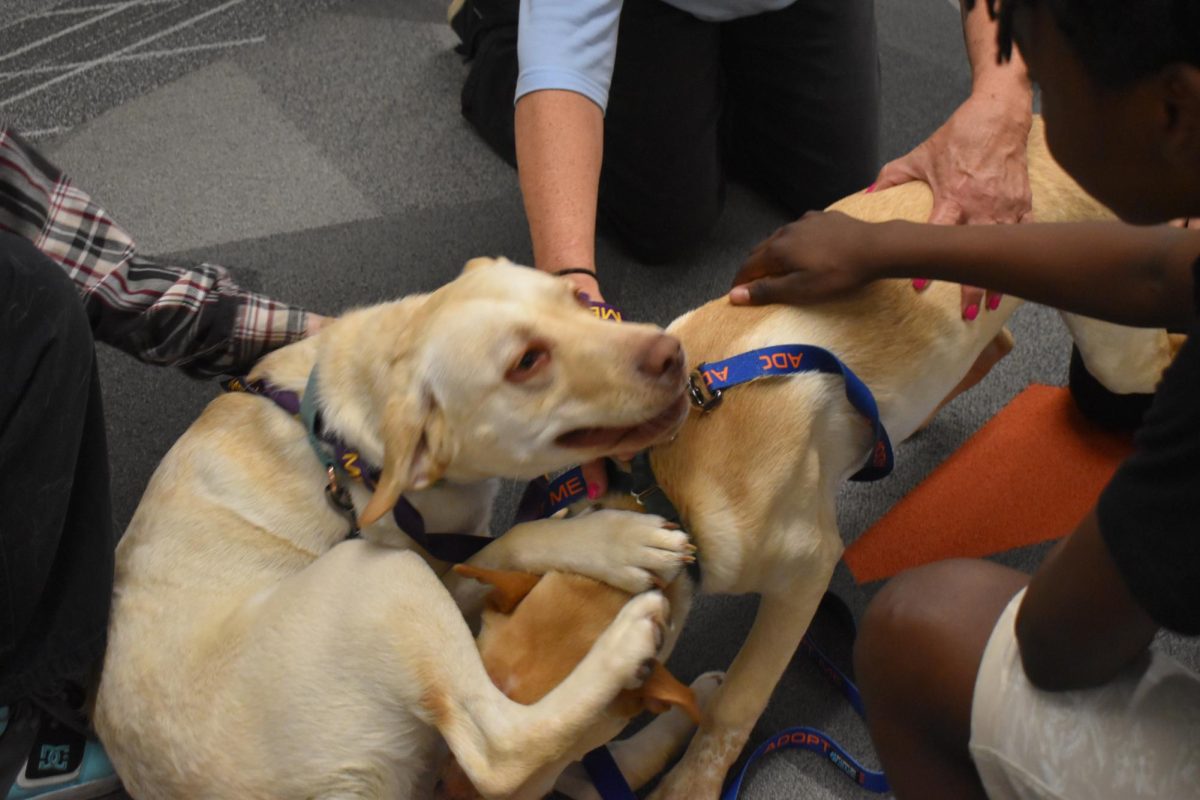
column 803, row 101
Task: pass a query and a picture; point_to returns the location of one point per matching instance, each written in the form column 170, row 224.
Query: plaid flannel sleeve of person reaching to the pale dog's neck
column 195, row 318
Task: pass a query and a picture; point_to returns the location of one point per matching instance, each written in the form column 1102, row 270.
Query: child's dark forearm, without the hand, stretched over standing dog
column 1124, row 274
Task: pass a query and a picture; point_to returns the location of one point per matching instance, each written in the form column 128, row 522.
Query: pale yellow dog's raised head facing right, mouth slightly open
column 505, row 372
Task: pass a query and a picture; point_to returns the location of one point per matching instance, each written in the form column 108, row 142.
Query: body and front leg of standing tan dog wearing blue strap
column 757, row 480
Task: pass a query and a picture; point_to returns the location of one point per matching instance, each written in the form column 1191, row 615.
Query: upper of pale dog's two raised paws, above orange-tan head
column 635, row 551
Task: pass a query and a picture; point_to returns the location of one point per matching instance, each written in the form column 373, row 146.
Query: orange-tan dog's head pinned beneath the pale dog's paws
column 536, row 630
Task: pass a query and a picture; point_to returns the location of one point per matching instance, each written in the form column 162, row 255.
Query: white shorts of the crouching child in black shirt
column 1137, row 737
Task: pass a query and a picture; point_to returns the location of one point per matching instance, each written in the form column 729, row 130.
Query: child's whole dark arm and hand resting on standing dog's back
column 1124, row 274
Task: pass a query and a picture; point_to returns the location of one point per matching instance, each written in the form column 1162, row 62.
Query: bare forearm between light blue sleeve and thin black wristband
column 560, row 139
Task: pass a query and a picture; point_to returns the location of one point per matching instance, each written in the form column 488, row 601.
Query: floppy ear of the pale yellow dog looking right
column 413, row 453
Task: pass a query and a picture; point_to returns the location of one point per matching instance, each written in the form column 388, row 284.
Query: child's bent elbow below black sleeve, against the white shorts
column 1078, row 625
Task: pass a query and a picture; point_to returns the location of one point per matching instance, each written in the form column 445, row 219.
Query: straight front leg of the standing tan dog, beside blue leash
column 778, row 628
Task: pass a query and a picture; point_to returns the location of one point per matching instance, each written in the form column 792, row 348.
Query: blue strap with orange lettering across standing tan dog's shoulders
column 788, row 360
